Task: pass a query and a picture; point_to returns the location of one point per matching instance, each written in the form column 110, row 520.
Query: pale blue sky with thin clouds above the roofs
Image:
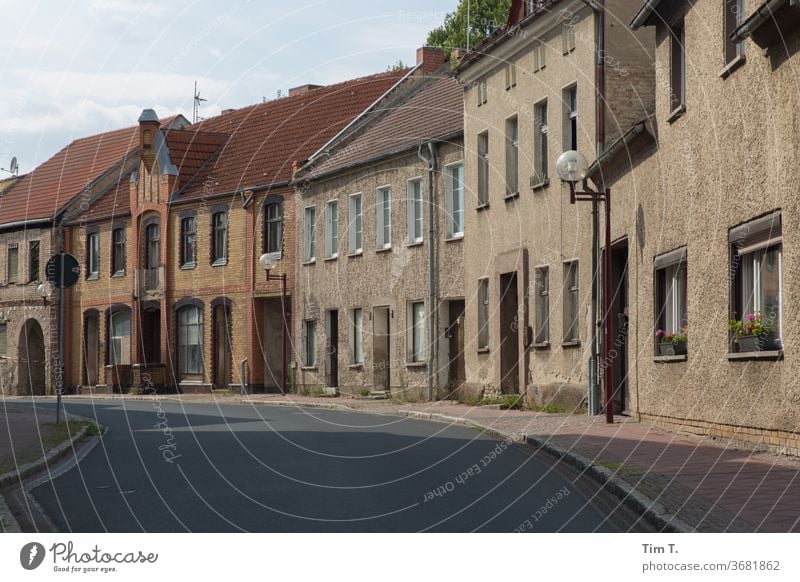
column 72, row 69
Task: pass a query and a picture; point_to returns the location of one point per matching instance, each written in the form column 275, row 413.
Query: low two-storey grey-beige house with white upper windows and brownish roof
column 381, row 232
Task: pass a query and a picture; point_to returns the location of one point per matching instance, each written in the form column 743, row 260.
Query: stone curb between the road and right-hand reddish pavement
column 651, row 511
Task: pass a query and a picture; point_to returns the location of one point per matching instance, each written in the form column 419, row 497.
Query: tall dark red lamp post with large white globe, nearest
column 572, row 168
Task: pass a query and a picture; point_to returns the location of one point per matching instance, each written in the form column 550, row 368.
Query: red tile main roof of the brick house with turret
column 266, row 139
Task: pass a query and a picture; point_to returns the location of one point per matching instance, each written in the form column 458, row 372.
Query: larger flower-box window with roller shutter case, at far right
column 757, row 257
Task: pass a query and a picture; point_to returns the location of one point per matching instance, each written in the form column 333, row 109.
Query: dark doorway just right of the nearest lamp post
column 619, row 325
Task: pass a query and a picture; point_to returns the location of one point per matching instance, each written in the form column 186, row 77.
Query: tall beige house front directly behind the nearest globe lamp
column 529, row 94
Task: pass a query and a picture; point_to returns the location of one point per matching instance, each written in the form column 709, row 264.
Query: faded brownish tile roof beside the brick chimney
column 434, row 110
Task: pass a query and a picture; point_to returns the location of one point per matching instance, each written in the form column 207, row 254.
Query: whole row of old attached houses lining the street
column 417, row 241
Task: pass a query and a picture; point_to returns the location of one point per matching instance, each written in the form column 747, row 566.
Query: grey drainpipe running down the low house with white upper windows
column 433, row 310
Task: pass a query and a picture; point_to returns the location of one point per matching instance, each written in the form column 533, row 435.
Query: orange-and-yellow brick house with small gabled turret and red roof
column 174, row 295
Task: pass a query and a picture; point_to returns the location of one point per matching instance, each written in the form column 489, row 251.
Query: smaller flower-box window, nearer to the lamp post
column 670, row 292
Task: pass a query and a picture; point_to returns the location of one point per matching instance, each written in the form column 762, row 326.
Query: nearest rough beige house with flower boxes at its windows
column 711, row 218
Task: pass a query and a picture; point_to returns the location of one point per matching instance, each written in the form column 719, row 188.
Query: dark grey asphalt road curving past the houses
column 171, row 467
